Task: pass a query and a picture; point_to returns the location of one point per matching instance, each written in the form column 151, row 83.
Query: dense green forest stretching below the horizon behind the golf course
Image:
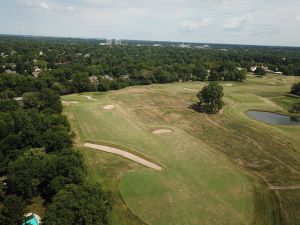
column 69, row 63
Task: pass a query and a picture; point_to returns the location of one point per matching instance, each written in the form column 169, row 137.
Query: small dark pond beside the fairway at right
column 274, row 118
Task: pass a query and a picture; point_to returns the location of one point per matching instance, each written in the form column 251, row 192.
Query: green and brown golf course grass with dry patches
column 217, row 169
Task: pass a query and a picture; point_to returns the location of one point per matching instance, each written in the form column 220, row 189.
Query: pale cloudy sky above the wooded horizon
column 262, row 22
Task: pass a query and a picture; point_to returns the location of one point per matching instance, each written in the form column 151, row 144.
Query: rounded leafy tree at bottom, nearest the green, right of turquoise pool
column 83, row 204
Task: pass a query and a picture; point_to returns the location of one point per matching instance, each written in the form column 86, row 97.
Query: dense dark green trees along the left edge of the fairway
column 37, row 159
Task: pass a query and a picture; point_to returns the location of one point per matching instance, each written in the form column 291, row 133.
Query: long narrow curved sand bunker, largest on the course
column 124, row 154
